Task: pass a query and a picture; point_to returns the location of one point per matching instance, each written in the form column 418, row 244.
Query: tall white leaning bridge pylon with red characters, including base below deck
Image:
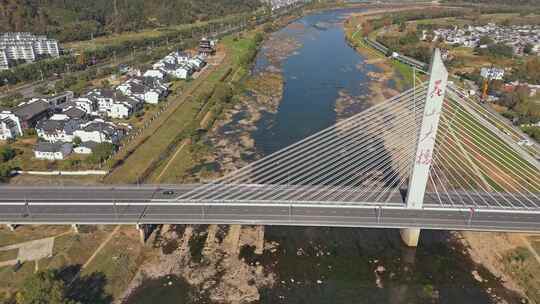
column 426, row 142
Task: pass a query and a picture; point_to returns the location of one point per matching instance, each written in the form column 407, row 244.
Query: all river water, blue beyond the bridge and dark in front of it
column 343, row 265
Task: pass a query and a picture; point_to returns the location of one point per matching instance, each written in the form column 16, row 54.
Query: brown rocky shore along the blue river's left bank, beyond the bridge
column 231, row 136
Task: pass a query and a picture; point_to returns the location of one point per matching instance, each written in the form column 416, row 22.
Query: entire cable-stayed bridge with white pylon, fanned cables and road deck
column 427, row 158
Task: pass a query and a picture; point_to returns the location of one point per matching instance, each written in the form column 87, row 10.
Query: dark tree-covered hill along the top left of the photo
column 69, row 20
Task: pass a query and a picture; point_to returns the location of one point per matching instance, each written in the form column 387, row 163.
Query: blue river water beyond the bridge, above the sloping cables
column 314, row 75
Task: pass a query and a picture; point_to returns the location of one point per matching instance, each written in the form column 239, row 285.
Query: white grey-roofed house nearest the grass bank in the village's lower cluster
column 99, row 131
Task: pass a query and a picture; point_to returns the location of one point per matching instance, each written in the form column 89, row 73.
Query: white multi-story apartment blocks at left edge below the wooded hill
column 25, row 46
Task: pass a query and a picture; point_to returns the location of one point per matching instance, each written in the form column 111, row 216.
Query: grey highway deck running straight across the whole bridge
column 158, row 205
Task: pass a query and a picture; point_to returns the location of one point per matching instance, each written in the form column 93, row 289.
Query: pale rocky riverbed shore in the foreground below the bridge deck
column 209, row 259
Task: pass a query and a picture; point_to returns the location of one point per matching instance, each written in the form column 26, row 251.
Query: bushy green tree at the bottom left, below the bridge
column 45, row 287
